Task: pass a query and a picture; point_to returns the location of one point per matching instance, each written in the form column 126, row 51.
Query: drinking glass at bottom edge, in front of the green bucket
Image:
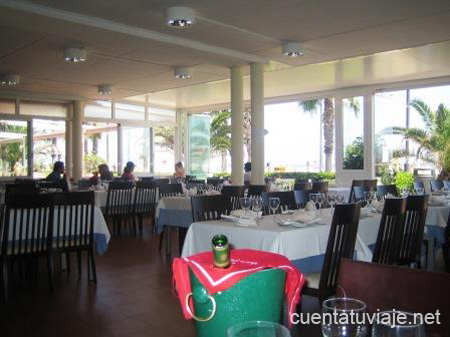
column 257, row 329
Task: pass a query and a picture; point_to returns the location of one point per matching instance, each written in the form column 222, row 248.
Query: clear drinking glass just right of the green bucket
column 343, row 317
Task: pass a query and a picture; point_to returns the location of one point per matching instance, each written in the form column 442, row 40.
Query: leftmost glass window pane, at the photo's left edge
column 13, row 147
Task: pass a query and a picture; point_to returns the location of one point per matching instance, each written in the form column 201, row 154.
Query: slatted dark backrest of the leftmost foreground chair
column 28, row 224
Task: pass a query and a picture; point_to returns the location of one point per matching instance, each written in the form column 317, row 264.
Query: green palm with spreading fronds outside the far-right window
column 433, row 140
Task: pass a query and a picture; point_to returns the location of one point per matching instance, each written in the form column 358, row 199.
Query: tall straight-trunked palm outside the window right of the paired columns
column 328, row 116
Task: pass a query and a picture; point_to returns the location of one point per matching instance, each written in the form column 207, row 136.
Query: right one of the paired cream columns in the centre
column 257, row 102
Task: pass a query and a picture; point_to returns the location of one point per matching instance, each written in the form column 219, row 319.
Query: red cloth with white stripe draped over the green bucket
column 243, row 263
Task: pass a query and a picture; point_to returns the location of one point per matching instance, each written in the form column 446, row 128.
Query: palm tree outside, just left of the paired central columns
column 220, row 133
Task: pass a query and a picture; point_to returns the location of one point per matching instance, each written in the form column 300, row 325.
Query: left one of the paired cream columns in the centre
column 237, row 125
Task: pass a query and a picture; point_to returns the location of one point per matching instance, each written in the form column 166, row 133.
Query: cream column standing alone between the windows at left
column 77, row 140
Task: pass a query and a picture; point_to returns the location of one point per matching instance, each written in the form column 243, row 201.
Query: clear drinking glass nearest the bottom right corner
column 397, row 324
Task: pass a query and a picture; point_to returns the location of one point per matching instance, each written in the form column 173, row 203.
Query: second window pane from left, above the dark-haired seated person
column 49, row 145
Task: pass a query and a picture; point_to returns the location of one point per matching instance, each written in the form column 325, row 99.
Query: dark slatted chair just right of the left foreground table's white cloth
column 119, row 203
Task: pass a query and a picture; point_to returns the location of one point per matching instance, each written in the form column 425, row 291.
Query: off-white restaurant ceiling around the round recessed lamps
column 31, row 44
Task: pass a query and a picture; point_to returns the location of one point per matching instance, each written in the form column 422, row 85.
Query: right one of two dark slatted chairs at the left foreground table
column 74, row 228
